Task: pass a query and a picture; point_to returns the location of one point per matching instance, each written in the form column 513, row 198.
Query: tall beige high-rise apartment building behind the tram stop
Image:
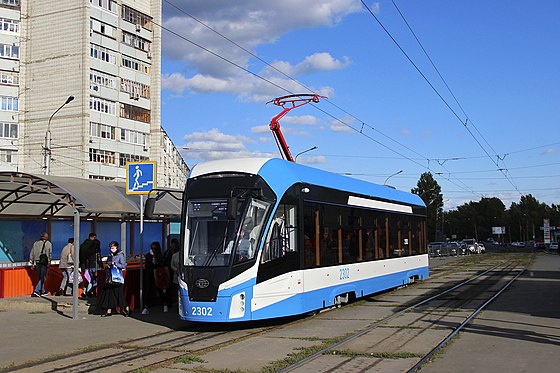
column 106, row 54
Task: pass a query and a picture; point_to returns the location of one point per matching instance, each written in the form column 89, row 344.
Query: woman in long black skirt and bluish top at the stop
column 112, row 294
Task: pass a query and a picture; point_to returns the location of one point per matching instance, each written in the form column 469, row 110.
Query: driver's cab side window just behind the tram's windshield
column 282, row 235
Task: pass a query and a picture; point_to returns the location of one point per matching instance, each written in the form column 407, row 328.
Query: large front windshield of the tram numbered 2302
column 214, row 240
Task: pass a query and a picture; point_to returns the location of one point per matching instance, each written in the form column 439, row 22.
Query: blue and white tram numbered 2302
column 265, row 238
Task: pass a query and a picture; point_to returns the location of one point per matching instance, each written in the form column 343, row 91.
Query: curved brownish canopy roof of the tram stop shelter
column 28, row 195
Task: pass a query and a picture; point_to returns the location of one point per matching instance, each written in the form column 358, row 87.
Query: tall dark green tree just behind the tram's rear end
column 429, row 190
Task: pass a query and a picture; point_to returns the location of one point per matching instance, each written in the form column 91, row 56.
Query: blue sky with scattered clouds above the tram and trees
column 466, row 90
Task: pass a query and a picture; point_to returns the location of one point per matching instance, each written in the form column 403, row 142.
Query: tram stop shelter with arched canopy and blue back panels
column 66, row 207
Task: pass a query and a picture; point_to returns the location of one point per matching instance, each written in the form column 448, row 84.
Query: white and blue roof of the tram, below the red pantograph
column 281, row 174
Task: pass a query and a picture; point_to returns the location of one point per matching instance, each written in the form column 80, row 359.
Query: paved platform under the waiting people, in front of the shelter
column 33, row 330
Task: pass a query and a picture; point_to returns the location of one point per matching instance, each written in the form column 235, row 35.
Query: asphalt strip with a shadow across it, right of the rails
column 518, row 332
